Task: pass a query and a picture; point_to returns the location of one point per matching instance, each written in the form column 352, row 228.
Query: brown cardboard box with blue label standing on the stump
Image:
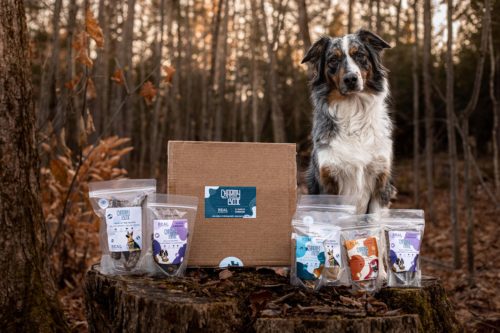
column 232, row 175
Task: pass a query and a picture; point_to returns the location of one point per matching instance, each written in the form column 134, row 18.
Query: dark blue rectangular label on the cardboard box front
column 230, row 201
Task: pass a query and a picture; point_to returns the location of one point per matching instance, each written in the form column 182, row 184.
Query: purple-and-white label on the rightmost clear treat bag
column 404, row 248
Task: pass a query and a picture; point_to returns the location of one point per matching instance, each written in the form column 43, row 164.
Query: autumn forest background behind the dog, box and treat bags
column 113, row 81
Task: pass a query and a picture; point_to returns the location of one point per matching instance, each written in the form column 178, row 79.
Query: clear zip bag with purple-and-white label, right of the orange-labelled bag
column 404, row 230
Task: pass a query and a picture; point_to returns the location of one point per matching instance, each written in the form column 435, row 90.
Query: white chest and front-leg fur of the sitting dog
column 360, row 150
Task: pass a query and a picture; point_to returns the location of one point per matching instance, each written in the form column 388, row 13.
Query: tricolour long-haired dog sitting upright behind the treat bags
column 352, row 131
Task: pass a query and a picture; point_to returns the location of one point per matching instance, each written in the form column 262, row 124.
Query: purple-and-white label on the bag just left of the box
column 169, row 241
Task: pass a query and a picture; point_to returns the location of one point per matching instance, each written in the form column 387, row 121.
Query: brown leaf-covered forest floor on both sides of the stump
column 478, row 306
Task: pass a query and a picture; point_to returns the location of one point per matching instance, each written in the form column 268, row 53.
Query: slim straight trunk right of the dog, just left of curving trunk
column 452, row 142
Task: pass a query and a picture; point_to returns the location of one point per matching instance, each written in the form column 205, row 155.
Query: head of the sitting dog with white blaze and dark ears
column 349, row 64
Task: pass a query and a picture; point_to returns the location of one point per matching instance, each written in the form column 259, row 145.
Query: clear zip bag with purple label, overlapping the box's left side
column 169, row 228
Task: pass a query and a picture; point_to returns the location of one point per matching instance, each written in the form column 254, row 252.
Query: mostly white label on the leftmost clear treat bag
column 124, row 228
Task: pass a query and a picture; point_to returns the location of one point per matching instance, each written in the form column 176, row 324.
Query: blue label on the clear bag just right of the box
column 310, row 257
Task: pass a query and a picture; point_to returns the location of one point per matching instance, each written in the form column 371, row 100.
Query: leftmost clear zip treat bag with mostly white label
column 119, row 204
